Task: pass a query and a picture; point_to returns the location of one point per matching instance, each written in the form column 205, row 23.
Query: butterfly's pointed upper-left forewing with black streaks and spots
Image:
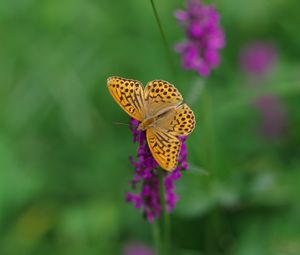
column 129, row 95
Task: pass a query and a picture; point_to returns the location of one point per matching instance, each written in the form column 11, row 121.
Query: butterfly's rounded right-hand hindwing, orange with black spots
column 178, row 121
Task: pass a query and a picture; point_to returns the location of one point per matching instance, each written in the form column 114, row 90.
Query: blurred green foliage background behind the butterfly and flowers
column 64, row 165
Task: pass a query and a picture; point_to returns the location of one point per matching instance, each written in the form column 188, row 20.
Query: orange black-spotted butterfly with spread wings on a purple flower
column 159, row 109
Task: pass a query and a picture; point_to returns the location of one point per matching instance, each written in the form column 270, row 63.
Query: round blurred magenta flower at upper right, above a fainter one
column 258, row 58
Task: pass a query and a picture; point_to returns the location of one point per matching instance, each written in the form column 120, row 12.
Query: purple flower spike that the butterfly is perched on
column 146, row 176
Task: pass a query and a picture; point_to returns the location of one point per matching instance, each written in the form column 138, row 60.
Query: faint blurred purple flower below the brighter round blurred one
column 272, row 114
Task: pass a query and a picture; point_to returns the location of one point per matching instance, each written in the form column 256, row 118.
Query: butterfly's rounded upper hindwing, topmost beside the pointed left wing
column 160, row 96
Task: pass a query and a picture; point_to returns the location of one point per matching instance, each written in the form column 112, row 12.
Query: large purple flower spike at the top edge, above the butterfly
column 204, row 37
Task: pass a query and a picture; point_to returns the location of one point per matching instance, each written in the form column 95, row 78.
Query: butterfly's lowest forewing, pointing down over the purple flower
column 164, row 148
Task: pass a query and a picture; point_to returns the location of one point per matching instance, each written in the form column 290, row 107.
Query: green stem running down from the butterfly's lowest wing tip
column 166, row 227
